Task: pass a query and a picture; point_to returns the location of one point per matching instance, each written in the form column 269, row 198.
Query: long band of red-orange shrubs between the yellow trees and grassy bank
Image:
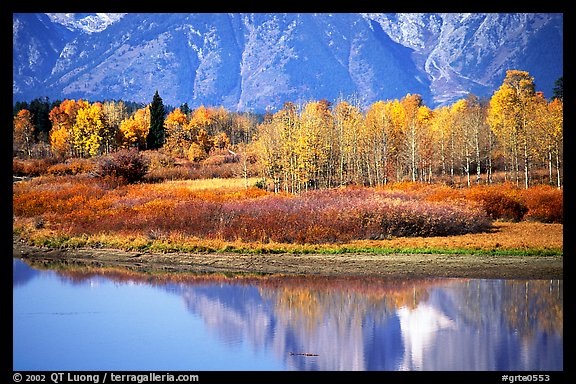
column 80, row 204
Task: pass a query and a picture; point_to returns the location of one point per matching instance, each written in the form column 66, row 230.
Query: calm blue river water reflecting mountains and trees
column 114, row 320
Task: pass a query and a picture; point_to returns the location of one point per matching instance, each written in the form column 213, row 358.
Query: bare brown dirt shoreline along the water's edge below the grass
column 398, row 266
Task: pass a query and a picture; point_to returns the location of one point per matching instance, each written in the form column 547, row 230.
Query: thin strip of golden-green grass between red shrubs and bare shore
column 527, row 238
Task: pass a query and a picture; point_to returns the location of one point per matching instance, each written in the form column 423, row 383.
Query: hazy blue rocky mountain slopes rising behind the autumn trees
column 258, row 61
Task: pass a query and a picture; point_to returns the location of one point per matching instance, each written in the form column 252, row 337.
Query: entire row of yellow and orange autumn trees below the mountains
column 517, row 134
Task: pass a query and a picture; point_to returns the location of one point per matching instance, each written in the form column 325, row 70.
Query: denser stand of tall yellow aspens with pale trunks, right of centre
column 316, row 144
